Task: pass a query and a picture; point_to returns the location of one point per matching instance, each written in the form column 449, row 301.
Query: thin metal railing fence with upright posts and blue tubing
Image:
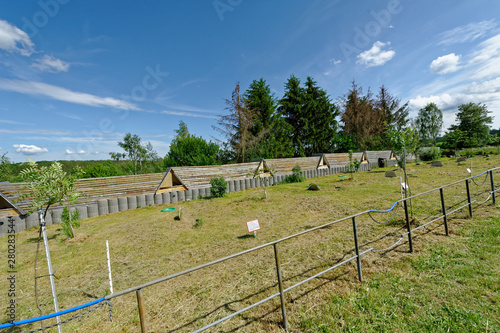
column 444, row 212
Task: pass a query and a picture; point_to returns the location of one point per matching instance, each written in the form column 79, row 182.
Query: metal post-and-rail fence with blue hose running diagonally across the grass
column 281, row 290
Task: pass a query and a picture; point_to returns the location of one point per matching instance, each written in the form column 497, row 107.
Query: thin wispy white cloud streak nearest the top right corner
column 466, row 33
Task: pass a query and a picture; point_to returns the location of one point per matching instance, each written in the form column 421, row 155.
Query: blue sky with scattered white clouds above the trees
column 76, row 76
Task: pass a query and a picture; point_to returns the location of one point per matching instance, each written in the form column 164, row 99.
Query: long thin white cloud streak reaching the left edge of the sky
column 63, row 94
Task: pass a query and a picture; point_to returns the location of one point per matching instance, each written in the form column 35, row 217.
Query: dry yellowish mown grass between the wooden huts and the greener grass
column 147, row 244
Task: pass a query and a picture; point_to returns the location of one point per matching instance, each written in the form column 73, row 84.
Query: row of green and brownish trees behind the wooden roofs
column 303, row 122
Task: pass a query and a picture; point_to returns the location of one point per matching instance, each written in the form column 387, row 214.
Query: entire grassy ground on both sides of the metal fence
column 449, row 283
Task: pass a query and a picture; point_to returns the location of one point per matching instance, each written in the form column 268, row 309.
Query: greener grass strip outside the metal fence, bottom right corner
column 450, row 287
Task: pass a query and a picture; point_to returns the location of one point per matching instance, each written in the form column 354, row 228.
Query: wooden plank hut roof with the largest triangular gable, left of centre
column 199, row 176
